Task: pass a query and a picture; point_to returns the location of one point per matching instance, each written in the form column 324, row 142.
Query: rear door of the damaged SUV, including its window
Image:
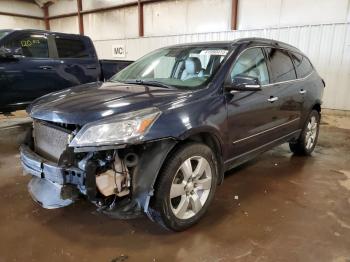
column 283, row 89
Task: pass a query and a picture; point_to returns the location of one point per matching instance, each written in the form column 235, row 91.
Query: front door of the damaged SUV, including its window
column 251, row 114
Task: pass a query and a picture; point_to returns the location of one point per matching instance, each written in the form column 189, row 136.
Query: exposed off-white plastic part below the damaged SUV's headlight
column 115, row 181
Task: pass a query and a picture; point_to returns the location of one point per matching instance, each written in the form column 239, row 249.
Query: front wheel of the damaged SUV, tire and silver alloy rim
column 185, row 187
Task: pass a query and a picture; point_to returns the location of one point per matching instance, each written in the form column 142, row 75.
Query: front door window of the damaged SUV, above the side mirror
column 251, row 63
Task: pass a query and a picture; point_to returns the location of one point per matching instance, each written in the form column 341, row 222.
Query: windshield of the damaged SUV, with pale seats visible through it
column 181, row 67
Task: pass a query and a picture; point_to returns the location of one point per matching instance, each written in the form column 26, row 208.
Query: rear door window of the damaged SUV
column 282, row 68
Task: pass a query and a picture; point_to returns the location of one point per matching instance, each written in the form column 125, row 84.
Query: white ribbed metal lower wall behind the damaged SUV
column 328, row 47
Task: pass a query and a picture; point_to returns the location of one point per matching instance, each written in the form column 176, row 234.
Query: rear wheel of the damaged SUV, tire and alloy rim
column 307, row 141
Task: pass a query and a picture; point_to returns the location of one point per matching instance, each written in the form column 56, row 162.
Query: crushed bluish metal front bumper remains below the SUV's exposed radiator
column 46, row 186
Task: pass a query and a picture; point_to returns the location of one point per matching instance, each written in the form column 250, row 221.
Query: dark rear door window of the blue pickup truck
column 71, row 48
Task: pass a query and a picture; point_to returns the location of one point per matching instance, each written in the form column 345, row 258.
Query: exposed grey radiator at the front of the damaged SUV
column 50, row 141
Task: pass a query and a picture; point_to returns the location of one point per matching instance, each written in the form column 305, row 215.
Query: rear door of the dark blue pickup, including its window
column 77, row 60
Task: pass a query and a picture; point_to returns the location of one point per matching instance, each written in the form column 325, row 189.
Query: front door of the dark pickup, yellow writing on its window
column 29, row 74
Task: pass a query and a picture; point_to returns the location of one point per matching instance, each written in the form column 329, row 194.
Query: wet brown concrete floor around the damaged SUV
column 288, row 209
